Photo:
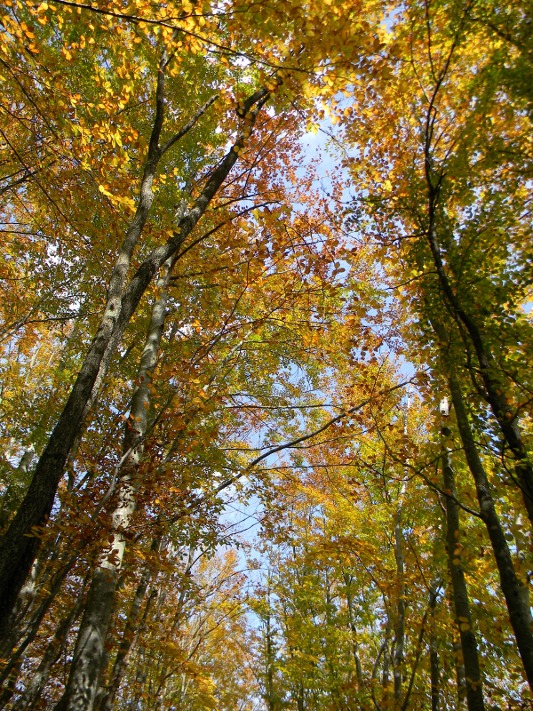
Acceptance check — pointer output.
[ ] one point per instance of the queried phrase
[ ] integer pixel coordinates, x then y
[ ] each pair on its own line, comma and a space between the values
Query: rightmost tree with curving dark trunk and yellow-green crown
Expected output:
461, 240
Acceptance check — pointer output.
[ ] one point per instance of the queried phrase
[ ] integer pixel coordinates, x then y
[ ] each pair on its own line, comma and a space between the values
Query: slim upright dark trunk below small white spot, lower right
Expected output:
461, 602
